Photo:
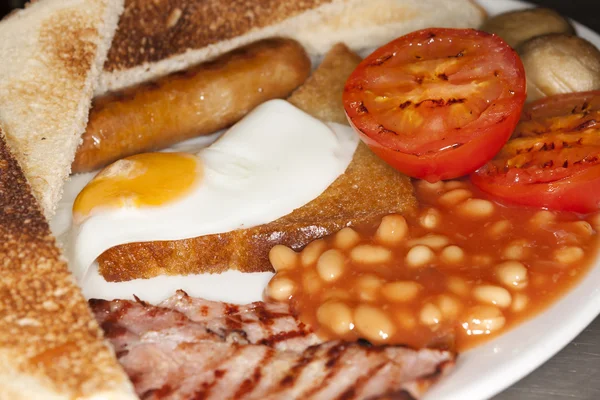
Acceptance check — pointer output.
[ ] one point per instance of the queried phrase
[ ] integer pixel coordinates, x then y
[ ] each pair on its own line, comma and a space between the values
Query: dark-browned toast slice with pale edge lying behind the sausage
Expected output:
162, 36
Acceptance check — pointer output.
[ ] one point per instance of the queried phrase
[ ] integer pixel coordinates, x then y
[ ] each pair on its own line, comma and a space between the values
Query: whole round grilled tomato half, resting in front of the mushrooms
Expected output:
437, 103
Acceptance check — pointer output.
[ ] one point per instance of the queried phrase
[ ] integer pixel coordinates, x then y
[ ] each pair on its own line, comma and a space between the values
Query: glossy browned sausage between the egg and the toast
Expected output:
194, 102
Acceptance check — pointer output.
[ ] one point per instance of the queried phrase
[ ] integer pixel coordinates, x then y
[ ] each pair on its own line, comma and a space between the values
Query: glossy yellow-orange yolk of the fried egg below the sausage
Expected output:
150, 179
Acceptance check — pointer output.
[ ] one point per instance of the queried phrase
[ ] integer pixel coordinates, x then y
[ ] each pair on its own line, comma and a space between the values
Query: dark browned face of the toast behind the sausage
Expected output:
151, 31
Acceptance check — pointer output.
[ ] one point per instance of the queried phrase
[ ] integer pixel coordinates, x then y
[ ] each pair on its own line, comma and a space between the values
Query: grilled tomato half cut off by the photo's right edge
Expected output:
553, 157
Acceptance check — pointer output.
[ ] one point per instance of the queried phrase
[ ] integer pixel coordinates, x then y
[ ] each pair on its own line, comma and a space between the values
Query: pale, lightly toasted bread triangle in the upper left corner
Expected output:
52, 53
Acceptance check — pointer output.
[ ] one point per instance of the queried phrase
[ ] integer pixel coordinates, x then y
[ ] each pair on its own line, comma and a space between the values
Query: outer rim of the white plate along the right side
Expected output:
488, 369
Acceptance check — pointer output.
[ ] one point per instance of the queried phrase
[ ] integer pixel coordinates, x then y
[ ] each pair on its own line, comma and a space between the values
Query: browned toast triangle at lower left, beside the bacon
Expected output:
50, 344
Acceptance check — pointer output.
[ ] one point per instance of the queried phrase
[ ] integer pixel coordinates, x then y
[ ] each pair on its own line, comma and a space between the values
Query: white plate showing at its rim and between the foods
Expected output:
480, 373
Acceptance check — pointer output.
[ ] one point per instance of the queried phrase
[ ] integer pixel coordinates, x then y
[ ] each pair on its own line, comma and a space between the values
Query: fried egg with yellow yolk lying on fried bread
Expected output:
275, 160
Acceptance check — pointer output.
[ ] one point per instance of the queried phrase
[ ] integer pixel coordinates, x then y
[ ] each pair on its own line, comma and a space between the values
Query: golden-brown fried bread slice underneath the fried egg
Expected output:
367, 190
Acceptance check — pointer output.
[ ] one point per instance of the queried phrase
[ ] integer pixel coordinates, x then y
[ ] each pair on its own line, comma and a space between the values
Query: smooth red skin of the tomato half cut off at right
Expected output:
578, 193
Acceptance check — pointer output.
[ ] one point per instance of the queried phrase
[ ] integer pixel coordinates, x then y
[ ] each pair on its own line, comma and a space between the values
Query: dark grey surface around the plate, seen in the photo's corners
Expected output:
574, 373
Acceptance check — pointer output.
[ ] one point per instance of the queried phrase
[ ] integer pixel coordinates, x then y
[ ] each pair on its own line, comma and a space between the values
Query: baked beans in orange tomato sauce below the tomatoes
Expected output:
461, 271
